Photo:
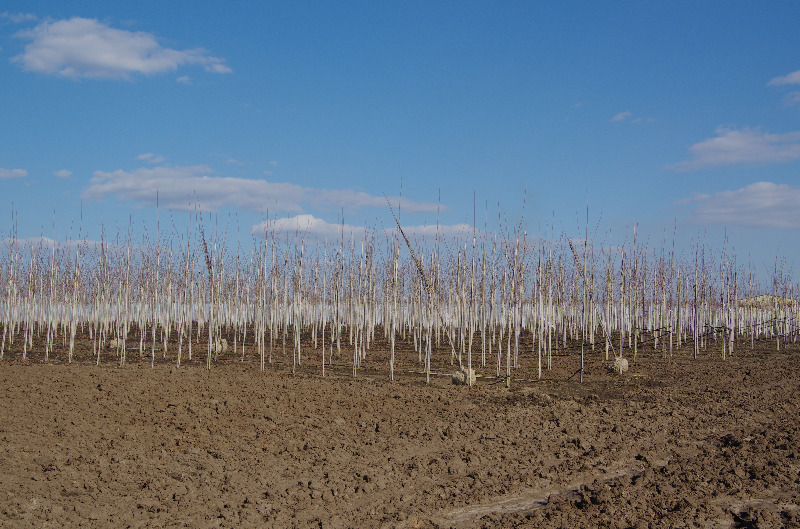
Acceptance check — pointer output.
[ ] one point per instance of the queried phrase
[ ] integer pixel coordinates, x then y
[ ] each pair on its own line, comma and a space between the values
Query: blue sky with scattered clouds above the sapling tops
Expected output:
661, 114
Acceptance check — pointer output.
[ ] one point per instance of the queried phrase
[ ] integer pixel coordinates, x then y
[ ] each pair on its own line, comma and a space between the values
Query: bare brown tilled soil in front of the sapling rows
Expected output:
687, 443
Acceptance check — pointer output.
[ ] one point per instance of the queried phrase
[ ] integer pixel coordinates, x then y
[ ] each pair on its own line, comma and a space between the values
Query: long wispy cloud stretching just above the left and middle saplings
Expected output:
184, 188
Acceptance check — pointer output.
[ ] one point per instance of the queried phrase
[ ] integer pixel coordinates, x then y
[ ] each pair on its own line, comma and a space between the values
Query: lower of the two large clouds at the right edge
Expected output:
762, 204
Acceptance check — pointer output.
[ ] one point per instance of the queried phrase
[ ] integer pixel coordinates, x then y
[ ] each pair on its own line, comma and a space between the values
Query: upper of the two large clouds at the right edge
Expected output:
742, 146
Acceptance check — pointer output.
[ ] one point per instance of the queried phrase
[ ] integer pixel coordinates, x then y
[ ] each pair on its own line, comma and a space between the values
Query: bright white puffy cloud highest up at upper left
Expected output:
81, 47
